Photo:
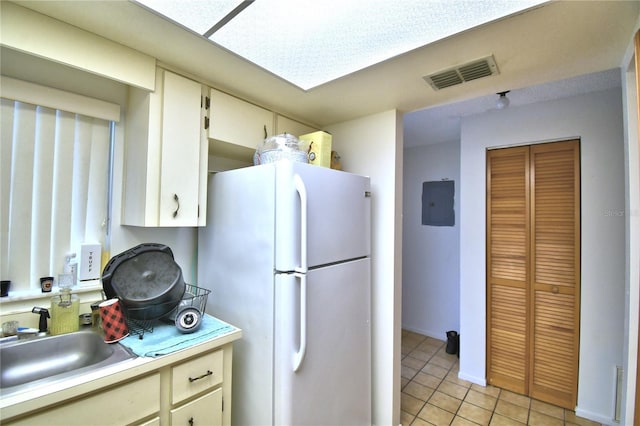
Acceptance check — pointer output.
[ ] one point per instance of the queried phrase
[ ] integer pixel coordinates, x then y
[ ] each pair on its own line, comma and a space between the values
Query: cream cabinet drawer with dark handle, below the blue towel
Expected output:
196, 375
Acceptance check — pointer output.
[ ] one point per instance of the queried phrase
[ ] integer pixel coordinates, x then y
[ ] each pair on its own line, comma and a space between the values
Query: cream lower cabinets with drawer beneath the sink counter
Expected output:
190, 392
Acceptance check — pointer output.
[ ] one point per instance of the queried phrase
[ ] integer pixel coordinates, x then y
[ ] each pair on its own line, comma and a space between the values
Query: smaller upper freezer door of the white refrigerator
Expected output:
322, 216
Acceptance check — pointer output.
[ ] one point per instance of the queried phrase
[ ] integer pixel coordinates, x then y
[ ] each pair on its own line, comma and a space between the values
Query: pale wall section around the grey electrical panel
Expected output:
431, 254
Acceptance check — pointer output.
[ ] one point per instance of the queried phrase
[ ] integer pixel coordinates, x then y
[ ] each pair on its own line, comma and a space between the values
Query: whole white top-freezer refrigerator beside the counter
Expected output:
286, 253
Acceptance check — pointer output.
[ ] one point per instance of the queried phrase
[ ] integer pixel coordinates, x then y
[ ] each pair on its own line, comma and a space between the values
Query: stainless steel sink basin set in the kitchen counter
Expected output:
51, 358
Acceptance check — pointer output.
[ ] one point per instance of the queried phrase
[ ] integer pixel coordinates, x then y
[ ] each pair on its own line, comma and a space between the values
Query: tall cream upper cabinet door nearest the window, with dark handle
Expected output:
180, 164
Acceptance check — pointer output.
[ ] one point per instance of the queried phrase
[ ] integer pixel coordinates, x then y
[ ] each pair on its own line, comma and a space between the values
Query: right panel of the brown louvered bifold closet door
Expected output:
555, 266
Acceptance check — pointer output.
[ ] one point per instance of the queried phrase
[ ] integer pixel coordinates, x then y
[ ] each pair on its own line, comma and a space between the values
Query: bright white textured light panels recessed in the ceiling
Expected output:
309, 43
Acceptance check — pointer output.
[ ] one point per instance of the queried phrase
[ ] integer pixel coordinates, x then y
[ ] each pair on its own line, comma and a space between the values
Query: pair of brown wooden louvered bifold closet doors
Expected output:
533, 270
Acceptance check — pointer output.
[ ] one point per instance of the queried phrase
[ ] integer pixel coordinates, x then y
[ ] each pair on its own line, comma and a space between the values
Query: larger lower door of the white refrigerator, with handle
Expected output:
322, 360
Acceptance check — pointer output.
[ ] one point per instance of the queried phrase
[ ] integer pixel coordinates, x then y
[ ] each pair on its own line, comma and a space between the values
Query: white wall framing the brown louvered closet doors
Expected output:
597, 119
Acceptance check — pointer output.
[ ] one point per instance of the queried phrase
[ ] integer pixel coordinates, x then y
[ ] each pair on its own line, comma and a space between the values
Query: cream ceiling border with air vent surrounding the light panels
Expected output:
554, 42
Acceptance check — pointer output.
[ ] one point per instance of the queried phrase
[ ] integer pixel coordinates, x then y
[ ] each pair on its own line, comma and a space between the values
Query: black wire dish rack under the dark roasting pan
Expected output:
144, 321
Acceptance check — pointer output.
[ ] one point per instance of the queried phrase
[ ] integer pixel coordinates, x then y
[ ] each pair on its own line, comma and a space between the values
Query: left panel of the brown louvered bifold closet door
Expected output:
507, 272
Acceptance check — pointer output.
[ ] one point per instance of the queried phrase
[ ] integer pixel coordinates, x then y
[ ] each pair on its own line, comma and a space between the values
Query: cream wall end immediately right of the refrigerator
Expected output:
372, 146
